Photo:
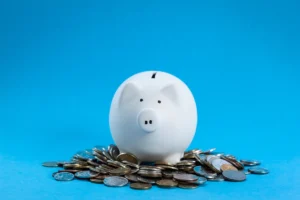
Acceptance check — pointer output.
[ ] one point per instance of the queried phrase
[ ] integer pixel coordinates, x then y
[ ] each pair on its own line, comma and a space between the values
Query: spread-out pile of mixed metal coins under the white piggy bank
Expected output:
114, 169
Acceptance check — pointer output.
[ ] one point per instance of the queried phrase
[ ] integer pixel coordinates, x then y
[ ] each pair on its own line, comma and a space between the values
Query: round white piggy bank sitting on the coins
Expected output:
153, 115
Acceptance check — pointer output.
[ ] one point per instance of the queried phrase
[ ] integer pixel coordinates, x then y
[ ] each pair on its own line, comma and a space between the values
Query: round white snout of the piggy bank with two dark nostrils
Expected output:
147, 120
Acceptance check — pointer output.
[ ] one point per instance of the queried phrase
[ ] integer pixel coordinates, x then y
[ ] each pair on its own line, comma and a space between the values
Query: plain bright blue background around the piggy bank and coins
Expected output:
61, 62
